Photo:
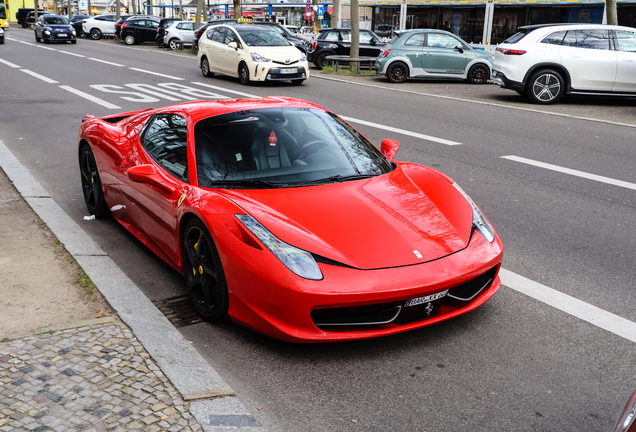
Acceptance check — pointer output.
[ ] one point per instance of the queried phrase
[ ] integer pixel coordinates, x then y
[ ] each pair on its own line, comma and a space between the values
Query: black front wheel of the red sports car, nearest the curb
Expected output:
203, 272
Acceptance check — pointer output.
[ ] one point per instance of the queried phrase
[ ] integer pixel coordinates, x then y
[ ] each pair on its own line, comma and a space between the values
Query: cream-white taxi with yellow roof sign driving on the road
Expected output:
251, 53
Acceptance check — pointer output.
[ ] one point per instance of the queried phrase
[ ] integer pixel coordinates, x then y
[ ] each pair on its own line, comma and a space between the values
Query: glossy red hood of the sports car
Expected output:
409, 216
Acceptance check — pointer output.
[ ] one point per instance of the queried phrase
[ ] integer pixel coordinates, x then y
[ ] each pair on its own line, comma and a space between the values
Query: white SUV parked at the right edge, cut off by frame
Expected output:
547, 61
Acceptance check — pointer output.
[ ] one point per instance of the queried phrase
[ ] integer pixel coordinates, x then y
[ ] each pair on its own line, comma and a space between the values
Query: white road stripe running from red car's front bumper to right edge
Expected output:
570, 305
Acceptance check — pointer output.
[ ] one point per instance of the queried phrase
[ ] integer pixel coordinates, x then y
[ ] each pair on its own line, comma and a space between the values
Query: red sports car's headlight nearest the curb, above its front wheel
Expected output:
296, 260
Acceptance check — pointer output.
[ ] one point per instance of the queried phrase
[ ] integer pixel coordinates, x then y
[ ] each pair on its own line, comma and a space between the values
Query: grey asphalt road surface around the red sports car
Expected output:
513, 364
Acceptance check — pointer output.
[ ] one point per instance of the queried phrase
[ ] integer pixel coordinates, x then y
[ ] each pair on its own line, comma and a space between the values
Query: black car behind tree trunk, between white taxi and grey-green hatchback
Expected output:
334, 41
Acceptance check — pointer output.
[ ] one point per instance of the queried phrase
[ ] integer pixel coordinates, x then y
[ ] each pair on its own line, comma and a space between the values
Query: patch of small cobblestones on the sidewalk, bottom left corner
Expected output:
94, 378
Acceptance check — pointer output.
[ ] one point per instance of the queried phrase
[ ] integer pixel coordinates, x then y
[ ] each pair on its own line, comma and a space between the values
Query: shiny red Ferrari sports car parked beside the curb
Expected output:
284, 217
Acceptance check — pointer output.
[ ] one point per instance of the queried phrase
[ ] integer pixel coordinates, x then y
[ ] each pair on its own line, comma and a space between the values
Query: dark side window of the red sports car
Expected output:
166, 141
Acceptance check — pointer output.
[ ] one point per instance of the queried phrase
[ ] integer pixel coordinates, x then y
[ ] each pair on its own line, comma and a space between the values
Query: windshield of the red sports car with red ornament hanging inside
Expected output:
282, 147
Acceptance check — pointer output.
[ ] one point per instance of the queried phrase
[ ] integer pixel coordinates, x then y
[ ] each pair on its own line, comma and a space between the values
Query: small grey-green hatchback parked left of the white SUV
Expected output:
429, 53
